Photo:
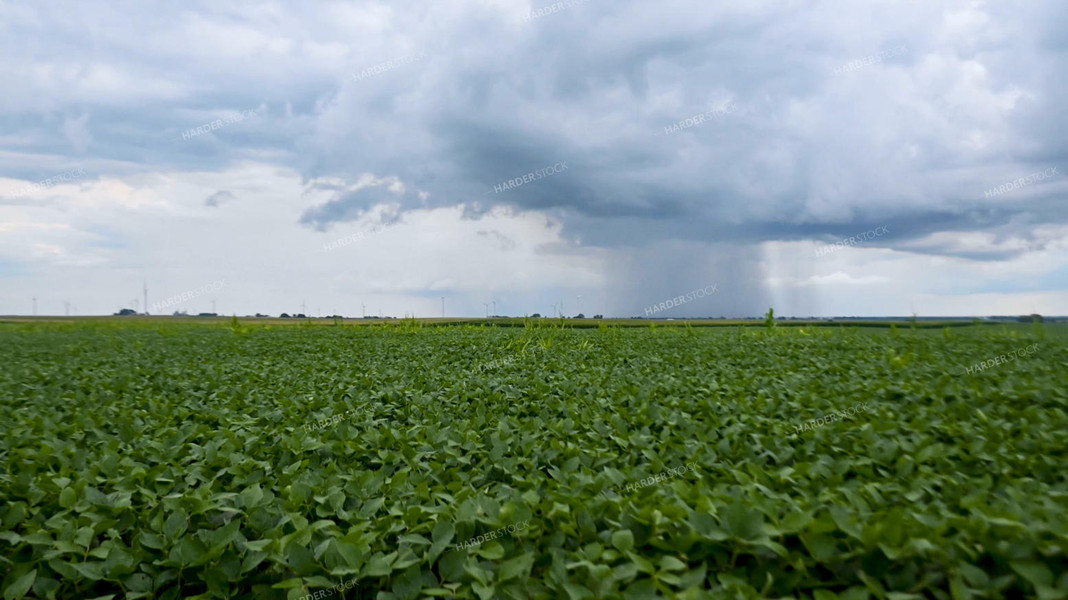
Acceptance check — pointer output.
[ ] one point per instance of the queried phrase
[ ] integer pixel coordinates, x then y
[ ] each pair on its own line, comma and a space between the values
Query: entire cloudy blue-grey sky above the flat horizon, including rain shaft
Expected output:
824, 159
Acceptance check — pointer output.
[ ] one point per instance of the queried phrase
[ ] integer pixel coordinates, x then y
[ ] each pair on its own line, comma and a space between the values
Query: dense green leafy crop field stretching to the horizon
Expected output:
154, 459
